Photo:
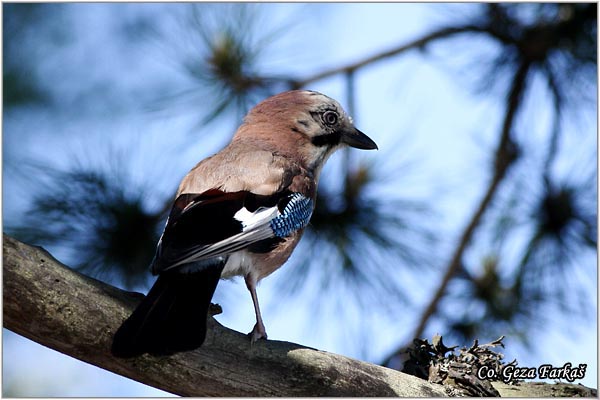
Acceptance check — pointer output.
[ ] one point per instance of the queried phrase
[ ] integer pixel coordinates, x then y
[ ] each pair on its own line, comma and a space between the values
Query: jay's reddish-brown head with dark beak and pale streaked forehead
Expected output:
303, 124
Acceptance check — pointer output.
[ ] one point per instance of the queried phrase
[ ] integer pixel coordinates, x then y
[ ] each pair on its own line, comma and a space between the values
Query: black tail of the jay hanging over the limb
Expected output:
171, 318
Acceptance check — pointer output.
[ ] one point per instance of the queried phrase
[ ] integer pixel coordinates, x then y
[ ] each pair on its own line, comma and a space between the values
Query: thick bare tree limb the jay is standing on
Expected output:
77, 315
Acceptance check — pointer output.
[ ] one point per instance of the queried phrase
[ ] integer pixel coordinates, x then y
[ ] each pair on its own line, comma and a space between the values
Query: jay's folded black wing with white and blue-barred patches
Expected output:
214, 224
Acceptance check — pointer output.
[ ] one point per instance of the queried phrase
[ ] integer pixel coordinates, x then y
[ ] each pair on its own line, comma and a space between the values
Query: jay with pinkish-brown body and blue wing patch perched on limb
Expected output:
239, 212
